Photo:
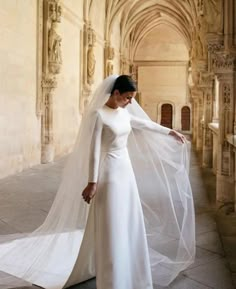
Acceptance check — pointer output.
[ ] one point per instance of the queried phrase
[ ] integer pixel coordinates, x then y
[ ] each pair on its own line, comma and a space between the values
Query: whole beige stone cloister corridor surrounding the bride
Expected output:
181, 57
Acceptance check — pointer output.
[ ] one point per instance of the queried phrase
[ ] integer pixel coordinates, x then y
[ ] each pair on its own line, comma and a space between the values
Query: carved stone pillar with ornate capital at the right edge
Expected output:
224, 67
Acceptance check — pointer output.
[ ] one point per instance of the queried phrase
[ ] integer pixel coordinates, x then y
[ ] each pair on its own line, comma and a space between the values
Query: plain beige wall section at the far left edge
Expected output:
19, 126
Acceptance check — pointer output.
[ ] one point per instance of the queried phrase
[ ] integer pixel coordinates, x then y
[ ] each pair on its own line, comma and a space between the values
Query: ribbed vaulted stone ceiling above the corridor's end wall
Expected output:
139, 17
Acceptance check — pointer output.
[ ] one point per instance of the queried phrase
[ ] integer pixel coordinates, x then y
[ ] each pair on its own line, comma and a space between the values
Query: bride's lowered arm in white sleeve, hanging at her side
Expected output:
94, 158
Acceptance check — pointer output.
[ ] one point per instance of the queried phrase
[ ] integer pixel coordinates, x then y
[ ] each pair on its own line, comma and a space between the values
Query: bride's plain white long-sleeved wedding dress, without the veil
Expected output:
115, 238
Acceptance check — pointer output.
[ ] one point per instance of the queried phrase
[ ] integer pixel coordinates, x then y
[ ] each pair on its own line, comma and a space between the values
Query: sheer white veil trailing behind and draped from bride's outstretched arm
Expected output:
46, 257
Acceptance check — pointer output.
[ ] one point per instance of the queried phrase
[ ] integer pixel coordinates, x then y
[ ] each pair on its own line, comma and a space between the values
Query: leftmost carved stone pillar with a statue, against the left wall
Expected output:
52, 62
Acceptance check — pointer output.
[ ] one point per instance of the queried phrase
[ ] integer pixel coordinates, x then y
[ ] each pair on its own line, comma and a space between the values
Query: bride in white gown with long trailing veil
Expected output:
139, 227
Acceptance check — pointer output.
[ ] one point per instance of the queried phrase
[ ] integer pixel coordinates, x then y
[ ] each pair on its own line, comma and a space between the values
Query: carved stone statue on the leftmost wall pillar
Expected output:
54, 50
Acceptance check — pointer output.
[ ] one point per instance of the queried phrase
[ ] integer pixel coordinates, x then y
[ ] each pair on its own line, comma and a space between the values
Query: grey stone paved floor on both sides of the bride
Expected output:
25, 199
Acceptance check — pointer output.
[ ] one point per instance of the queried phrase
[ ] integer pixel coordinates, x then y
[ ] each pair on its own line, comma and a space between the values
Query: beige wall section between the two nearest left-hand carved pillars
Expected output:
66, 113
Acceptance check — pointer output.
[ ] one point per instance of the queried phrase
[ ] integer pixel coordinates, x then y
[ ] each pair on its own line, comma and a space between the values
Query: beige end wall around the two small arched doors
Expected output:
163, 84
